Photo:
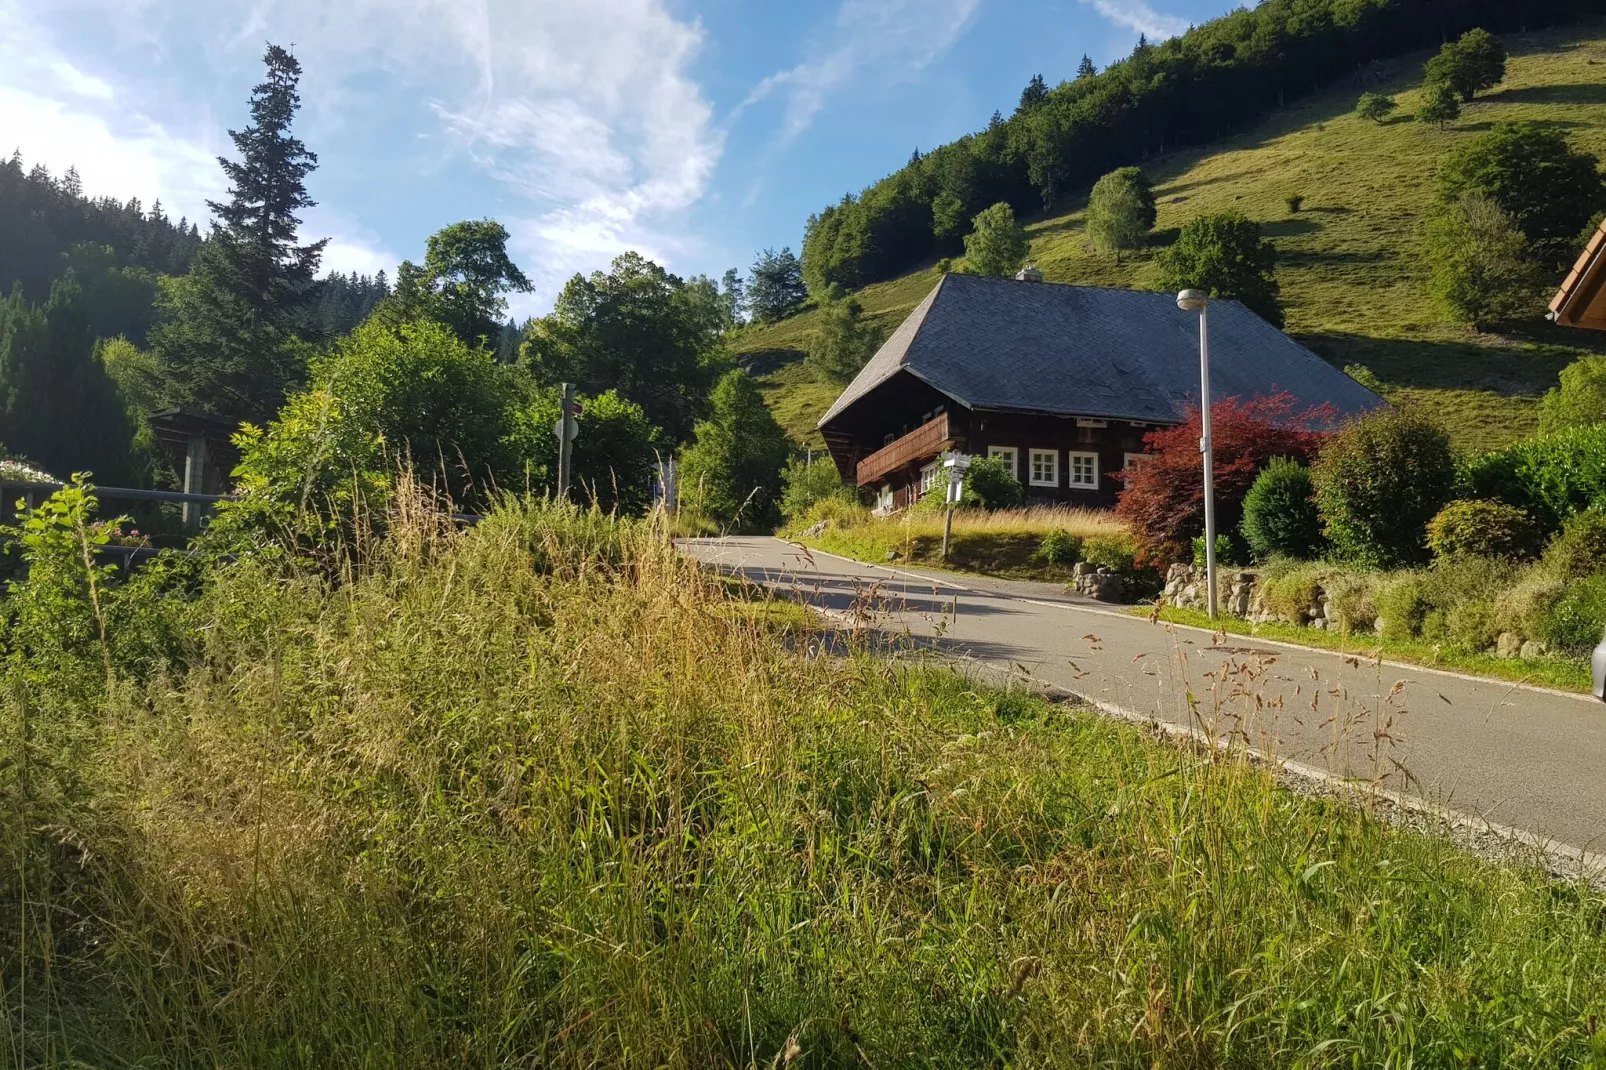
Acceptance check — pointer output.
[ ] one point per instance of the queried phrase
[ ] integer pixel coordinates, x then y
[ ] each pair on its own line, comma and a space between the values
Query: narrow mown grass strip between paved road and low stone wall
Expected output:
1565, 674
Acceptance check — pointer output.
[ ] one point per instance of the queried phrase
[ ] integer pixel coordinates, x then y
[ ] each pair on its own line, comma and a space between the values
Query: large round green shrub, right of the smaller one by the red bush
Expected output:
1379, 483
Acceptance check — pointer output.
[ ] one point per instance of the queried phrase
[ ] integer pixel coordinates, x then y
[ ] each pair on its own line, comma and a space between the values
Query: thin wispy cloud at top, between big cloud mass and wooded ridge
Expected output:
900, 38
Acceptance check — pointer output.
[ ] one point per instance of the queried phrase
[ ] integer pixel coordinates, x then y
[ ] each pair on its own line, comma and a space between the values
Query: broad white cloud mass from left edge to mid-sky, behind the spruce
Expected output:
584, 110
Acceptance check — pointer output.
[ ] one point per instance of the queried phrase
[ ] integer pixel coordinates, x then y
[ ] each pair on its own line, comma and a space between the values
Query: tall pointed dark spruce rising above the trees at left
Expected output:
229, 333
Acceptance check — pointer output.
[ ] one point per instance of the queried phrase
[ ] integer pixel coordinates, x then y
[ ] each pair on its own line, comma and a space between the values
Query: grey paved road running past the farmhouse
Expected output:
1522, 758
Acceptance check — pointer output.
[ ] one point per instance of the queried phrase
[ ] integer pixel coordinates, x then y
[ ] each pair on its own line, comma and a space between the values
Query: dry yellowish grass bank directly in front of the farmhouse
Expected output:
1001, 544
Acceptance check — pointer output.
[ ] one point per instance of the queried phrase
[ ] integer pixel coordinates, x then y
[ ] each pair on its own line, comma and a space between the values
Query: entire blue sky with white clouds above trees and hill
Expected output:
693, 131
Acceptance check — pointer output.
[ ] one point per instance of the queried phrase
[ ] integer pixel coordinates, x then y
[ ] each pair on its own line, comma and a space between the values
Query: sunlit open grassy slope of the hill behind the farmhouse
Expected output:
1351, 271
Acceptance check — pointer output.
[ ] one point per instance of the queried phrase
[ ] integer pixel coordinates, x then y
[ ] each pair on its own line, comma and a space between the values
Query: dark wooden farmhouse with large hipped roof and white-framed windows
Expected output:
1059, 382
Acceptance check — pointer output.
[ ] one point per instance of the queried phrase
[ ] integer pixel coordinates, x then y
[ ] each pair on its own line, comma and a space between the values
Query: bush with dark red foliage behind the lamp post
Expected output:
1164, 500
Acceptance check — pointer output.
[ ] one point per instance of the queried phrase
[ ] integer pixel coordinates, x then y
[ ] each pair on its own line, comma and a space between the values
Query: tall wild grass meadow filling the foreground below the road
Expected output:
534, 794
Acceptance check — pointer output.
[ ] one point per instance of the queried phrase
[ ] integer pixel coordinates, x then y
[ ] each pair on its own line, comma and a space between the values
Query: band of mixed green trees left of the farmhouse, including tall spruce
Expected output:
341, 382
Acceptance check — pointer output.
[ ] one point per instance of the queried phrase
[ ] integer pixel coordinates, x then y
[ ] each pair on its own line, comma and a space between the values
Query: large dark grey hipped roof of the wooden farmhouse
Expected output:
1086, 351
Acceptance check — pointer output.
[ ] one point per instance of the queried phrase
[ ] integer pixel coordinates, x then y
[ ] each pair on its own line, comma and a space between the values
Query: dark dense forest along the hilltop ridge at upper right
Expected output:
1188, 91
